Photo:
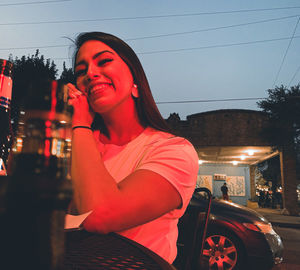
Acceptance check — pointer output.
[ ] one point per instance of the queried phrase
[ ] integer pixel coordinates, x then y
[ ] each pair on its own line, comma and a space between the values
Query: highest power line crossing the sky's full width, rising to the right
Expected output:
151, 16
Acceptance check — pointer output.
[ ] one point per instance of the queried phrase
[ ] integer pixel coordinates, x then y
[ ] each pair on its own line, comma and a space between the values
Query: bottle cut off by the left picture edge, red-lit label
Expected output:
5, 122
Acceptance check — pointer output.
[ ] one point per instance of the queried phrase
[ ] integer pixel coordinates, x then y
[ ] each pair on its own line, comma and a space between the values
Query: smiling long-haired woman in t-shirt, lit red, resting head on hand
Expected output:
134, 176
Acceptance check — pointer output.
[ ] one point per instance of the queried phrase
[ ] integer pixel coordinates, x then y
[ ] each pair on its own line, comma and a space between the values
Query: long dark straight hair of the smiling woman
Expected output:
148, 113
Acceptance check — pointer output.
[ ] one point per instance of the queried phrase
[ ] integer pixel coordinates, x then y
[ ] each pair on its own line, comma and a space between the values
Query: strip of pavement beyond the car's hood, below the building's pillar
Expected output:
278, 218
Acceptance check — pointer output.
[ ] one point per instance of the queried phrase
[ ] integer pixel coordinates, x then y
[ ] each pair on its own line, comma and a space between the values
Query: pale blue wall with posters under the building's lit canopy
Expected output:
228, 170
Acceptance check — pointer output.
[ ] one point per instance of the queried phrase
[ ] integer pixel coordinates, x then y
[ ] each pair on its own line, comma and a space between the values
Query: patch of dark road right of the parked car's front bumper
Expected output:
291, 243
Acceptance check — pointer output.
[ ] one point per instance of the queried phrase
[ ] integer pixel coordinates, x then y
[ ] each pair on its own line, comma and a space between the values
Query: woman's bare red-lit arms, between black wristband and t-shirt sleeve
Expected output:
141, 197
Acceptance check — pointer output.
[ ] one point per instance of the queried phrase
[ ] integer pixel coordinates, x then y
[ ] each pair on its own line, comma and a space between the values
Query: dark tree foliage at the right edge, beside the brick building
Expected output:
283, 109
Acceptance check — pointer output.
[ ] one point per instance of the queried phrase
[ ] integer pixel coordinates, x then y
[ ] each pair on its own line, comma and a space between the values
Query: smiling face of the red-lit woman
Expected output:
103, 76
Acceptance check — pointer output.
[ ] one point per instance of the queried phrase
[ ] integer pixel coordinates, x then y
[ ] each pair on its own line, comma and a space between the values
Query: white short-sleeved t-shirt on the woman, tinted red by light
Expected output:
172, 157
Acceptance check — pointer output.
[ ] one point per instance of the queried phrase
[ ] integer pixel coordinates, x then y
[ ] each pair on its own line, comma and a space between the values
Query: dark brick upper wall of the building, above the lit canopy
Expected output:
222, 128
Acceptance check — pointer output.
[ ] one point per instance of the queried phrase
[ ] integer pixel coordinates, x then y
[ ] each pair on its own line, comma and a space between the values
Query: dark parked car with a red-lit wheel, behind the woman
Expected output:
237, 237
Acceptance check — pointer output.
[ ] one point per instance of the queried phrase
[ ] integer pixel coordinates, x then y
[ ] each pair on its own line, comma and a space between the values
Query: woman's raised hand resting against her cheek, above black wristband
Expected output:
83, 114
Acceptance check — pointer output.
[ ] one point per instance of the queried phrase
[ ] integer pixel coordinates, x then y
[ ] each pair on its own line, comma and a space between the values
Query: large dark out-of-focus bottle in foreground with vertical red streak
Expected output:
39, 187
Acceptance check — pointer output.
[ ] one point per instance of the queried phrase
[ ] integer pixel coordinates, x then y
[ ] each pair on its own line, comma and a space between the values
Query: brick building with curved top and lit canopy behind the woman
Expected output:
230, 145
